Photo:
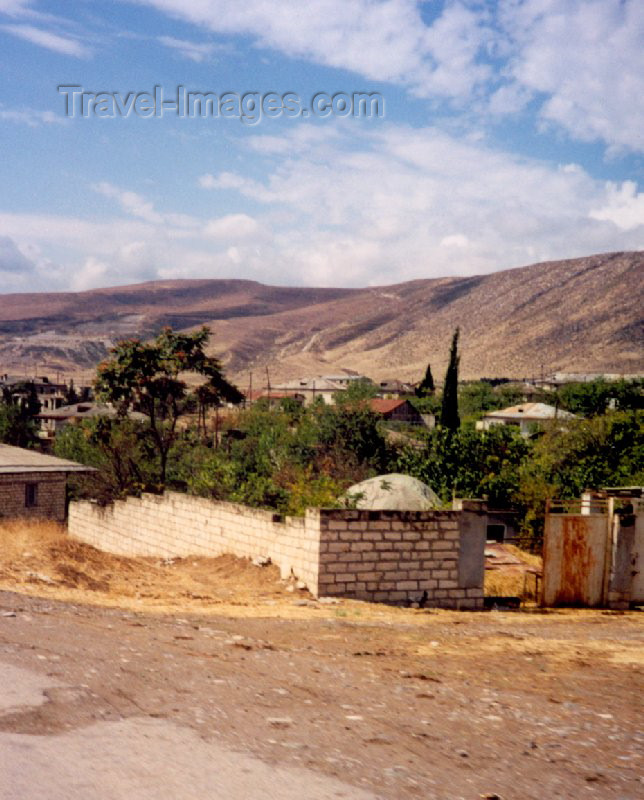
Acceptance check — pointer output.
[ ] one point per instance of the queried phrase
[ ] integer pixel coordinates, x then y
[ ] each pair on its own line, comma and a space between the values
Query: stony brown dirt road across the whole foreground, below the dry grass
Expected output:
416, 704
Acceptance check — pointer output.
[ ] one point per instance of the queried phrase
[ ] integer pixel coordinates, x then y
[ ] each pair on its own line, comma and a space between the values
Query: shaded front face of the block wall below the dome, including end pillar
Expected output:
435, 558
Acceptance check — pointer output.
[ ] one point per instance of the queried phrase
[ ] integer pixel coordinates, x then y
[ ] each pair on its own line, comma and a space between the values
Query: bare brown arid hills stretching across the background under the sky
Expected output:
582, 314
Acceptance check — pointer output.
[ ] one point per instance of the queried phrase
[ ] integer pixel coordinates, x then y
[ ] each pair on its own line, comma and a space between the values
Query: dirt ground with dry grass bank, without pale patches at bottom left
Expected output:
400, 702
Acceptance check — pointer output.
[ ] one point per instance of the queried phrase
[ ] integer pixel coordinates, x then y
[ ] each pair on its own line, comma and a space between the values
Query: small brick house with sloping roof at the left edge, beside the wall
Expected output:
33, 484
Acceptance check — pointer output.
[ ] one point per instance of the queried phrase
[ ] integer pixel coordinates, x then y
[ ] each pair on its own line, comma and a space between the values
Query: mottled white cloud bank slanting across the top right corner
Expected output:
580, 61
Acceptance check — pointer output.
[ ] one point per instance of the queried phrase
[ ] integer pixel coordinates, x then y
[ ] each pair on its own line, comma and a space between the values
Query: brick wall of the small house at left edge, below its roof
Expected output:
50, 497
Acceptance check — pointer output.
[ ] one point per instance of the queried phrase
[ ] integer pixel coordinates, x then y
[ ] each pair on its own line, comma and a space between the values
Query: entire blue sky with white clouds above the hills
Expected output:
513, 132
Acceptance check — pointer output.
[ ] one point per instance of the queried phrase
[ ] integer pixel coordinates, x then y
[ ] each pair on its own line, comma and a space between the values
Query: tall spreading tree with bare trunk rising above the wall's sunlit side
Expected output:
147, 377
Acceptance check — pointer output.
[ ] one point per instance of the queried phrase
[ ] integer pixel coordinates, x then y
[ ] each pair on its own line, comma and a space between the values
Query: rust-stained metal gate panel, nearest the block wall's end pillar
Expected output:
574, 559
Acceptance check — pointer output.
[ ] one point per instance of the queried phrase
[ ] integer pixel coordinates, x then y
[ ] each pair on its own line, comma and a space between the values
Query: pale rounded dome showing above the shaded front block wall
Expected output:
395, 492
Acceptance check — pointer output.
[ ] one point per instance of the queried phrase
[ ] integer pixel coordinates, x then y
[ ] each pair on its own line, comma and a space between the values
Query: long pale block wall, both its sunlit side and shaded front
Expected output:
435, 558
